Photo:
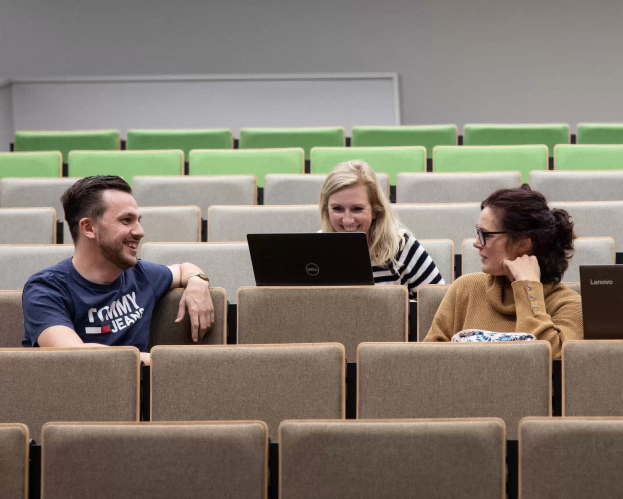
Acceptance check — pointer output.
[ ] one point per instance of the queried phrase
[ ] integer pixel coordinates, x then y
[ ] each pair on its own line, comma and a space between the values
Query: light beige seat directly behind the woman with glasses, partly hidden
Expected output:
587, 251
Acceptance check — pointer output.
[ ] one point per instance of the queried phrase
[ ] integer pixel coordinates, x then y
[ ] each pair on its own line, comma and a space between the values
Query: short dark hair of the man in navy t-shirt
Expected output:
84, 199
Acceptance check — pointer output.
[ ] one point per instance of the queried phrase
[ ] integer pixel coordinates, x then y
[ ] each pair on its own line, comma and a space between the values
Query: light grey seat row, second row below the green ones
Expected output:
454, 221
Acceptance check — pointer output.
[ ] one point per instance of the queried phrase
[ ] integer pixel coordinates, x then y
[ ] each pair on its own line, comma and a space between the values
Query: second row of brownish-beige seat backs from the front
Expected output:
276, 382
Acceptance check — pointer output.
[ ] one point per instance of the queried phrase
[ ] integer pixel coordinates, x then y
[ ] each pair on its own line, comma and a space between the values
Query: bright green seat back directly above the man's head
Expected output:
126, 164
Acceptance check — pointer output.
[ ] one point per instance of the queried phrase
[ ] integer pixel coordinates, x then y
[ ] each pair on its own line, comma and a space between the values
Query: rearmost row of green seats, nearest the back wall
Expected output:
427, 136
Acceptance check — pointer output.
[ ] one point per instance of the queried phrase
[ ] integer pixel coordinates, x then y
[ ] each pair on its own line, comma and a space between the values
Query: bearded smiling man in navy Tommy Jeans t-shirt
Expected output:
105, 296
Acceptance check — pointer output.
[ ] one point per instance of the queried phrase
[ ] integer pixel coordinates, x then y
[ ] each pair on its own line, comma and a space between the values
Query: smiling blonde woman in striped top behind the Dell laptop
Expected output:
351, 200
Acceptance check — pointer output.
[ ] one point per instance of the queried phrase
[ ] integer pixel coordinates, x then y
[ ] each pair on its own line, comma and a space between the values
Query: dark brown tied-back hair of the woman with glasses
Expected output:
524, 213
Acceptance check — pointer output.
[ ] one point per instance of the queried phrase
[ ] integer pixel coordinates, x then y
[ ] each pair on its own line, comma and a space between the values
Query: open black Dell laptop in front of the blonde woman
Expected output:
310, 259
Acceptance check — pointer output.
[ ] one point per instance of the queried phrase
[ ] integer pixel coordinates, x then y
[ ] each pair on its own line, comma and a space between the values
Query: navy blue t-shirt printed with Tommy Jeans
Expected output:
116, 314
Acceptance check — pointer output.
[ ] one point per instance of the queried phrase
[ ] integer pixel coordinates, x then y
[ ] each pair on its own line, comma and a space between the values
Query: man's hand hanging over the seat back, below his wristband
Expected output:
197, 300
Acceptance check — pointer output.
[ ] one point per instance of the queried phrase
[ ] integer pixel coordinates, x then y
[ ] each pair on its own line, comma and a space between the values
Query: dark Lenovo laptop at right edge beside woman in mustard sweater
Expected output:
602, 301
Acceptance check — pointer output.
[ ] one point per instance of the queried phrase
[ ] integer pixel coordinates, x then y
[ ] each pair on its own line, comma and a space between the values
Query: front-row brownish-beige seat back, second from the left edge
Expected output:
155, 460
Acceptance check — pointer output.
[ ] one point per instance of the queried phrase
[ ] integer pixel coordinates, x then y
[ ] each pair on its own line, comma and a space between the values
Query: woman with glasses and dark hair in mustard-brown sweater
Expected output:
525, 249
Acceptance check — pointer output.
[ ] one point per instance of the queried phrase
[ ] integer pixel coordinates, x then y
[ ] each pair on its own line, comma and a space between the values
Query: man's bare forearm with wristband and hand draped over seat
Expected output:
196, 299
